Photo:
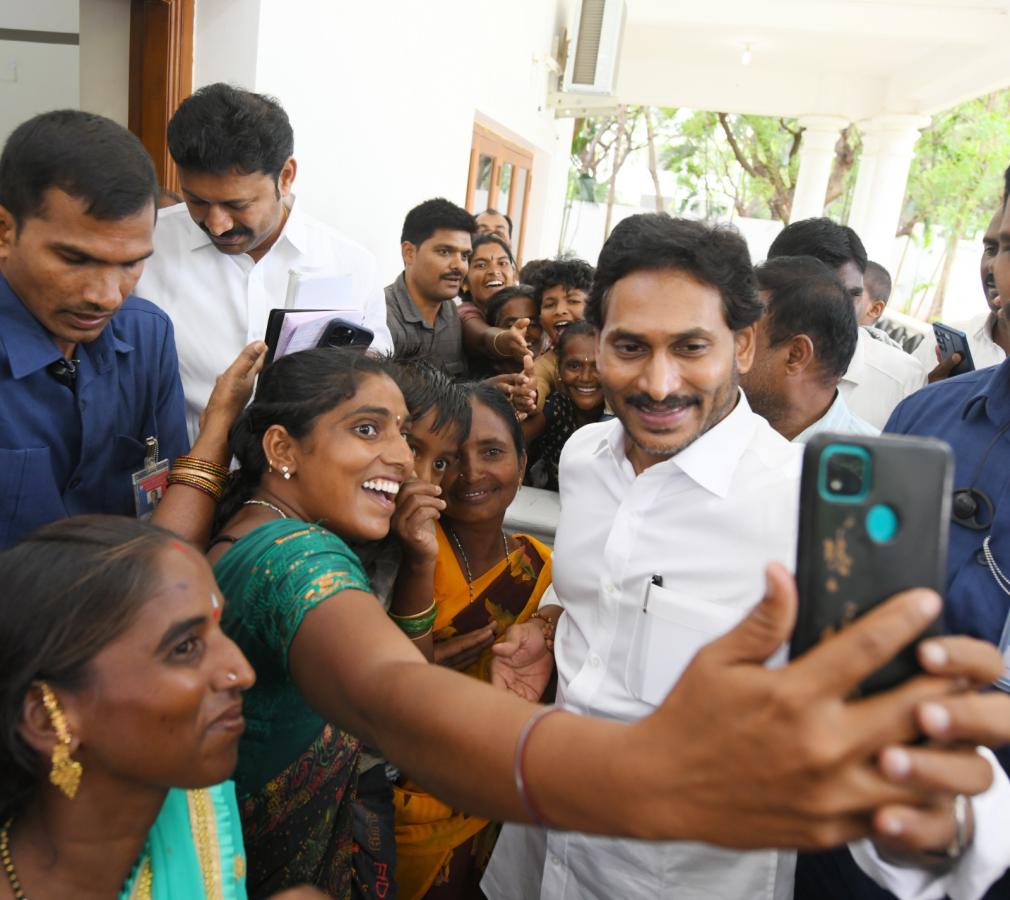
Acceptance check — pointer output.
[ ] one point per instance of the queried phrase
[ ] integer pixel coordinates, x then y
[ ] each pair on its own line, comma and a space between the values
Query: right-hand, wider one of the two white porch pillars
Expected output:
888, 149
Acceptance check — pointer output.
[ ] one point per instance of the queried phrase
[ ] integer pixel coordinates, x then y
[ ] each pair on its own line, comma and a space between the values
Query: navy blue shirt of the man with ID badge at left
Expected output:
67, 453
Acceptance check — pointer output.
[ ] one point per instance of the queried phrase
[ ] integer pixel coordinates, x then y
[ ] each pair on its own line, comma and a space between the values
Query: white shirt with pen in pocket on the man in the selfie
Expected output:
731, 495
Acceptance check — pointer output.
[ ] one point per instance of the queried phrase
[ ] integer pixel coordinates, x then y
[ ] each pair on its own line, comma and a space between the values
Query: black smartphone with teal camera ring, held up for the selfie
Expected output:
874, 521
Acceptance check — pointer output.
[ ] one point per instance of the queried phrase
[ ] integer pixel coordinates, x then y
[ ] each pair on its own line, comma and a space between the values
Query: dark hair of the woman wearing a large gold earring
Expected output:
71, 588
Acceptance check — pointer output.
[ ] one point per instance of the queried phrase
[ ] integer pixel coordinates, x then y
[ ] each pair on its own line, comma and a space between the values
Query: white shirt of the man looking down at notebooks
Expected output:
219, 304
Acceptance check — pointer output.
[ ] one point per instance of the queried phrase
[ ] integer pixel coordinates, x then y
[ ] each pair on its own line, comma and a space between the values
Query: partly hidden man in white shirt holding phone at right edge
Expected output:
988, 333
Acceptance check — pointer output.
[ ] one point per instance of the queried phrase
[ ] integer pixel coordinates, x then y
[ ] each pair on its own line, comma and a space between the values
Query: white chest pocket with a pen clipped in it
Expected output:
669, 632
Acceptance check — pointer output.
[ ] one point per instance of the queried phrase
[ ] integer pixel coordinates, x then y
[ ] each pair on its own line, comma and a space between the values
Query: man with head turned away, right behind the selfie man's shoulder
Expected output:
805, 342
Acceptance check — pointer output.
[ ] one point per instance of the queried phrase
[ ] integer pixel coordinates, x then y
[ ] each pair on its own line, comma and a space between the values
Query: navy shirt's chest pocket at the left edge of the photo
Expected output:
29, 494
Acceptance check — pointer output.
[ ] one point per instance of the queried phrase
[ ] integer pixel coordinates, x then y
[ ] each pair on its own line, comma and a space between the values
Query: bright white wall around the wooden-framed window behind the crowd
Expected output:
383, 97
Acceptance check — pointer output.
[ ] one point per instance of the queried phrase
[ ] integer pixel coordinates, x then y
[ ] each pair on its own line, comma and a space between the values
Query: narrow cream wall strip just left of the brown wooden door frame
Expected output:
106, 59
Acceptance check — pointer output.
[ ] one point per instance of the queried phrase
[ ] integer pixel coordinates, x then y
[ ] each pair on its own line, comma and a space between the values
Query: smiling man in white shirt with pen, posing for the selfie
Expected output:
670, 515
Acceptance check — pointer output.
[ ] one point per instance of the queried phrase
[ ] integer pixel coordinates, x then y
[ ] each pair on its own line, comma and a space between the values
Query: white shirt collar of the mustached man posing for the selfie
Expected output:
710, 462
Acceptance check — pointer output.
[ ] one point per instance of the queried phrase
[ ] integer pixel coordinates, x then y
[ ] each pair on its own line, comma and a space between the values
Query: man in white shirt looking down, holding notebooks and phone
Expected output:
228, 257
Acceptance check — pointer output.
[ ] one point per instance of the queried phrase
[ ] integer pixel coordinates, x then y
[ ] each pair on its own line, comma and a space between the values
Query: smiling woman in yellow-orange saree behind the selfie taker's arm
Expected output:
485, 581
